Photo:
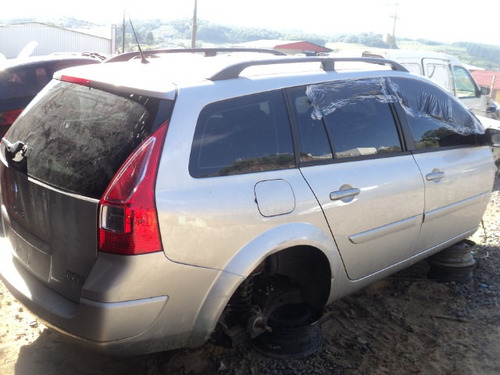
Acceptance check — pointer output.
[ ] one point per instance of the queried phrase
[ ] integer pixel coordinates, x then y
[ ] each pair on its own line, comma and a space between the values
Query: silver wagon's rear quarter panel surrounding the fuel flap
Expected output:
207, 221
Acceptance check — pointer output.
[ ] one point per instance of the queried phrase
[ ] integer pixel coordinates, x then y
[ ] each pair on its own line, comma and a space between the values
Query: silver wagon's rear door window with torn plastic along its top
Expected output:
352, 118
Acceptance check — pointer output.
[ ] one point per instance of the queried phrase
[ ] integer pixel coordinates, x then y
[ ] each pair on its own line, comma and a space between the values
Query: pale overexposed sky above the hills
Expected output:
439, 20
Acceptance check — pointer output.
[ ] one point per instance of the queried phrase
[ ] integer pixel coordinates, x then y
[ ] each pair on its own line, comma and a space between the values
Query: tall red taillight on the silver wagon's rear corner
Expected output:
128, 222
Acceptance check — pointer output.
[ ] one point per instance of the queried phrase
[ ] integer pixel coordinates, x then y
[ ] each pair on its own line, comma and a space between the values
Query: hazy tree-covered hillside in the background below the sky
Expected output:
160, 34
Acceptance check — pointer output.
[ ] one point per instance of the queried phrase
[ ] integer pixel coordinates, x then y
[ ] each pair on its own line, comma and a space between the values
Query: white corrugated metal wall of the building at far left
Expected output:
49, 39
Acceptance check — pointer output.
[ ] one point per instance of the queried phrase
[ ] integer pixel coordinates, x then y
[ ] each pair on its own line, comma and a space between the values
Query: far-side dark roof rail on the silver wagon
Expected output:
206, 51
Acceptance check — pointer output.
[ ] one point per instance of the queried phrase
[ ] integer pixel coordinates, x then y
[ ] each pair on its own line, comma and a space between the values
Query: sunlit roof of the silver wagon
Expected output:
165, 74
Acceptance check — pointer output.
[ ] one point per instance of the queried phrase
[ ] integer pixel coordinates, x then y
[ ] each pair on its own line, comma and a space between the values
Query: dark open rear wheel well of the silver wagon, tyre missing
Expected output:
289, 287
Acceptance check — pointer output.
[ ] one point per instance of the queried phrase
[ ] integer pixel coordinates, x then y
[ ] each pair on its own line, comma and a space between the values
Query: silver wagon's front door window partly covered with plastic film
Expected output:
436, 119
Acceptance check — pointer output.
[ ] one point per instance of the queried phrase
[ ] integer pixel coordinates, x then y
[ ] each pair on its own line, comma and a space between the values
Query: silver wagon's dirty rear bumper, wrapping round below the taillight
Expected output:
127, 326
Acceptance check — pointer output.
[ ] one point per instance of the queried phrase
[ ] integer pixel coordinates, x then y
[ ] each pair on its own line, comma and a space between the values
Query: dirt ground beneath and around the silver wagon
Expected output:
404, 324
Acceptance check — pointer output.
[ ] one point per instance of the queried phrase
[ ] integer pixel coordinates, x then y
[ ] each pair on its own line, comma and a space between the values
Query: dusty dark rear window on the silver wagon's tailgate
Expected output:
78, 137
